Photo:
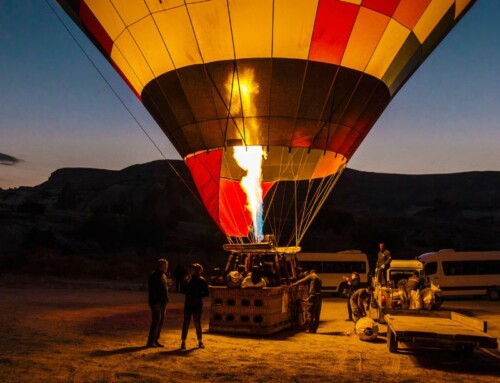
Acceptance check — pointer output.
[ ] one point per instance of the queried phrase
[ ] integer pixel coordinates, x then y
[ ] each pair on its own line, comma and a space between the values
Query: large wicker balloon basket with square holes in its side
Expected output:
252, 311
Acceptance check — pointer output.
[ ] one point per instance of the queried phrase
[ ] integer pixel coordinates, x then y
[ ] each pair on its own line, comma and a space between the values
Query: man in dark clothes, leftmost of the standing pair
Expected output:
158, 299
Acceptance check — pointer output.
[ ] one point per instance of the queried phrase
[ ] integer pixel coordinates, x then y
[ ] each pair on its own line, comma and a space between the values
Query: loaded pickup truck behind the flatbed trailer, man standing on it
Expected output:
394, 295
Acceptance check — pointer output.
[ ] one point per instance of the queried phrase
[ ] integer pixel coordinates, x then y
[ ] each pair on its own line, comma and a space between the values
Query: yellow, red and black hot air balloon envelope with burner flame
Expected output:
296, 83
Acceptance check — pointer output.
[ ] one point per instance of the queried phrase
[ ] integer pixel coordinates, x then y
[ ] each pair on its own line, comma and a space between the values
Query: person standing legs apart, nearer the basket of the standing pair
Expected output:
195, 288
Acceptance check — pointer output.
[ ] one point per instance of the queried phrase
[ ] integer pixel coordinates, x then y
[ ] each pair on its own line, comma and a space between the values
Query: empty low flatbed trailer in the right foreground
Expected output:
443, 329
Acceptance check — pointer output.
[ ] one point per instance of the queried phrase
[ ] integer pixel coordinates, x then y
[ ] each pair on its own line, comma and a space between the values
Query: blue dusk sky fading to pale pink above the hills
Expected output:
57, 111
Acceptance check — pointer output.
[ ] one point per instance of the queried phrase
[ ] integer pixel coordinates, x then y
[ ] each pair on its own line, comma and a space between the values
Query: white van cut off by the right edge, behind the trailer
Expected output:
464, 273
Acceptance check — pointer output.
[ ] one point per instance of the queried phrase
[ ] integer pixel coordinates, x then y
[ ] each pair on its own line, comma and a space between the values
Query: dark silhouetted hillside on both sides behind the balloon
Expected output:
102, 222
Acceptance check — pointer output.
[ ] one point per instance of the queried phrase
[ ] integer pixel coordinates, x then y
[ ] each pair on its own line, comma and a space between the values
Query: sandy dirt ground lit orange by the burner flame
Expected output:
68, 331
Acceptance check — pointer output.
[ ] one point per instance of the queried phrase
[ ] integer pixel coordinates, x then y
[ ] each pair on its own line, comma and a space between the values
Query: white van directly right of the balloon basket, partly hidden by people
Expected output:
331, 267
